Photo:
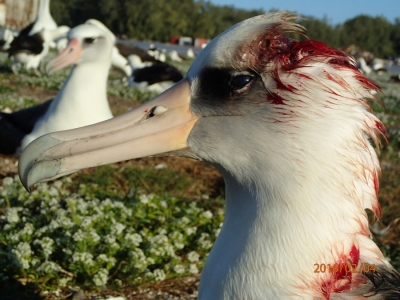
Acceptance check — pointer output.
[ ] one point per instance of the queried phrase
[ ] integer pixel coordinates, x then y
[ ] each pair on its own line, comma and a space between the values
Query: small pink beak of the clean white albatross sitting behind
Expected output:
72, 53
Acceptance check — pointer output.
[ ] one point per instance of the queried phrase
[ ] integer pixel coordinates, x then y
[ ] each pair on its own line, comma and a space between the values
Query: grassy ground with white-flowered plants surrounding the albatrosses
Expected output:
135, 224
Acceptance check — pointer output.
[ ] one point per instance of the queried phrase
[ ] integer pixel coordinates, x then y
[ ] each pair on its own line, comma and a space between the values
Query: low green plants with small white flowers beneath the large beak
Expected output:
58, 236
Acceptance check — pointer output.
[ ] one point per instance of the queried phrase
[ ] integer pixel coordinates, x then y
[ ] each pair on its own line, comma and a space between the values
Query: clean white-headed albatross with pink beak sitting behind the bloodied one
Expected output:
82, 99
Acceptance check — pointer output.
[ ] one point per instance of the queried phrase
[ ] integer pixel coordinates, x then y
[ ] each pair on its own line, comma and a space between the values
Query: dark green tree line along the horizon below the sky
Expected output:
140, 19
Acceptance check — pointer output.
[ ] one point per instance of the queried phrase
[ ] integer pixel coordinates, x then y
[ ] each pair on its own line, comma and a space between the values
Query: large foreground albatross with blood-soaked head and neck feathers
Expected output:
288, 125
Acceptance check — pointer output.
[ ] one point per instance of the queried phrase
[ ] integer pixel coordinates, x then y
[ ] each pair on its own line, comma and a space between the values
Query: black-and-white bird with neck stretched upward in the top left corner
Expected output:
34, 41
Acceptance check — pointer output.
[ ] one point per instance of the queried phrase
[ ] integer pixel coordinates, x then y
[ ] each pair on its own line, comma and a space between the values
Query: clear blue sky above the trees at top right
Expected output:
336, 11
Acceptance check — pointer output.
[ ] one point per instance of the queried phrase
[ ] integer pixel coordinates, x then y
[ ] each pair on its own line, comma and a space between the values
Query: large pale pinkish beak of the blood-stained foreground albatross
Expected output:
160, 125
